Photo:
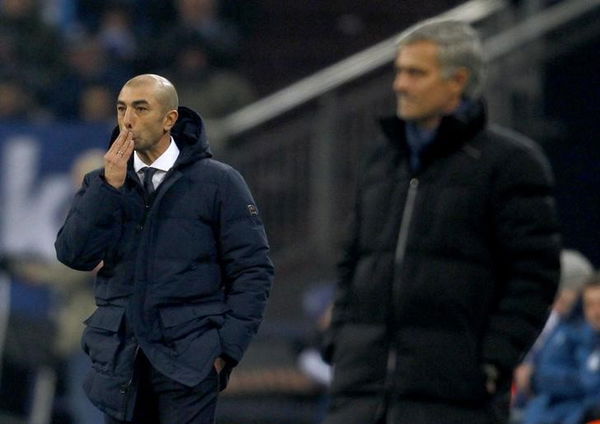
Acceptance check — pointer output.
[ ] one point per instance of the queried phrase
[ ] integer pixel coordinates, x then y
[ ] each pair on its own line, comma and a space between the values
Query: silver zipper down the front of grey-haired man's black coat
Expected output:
400, 252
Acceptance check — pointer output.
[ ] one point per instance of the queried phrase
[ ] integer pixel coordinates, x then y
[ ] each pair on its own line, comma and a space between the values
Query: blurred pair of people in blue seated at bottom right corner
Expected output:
559, 380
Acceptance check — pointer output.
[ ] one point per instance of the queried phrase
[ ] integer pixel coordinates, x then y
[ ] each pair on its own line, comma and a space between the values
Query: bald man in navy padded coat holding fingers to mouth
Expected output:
184, 271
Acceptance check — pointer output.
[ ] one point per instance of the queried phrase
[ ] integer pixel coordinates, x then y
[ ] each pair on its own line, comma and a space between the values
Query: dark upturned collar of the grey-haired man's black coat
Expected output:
453, 132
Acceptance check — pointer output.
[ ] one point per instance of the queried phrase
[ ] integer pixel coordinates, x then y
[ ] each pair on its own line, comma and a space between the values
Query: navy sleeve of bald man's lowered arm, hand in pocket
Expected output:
247, 269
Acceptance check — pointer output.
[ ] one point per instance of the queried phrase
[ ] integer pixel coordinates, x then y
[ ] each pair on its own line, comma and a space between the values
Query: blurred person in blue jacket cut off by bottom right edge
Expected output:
567, 376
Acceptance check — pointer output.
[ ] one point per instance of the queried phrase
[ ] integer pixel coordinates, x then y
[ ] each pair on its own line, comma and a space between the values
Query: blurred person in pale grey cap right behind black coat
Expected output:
575, 270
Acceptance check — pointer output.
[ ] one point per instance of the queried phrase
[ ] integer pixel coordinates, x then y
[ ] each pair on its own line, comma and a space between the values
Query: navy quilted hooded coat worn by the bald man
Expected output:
185, 277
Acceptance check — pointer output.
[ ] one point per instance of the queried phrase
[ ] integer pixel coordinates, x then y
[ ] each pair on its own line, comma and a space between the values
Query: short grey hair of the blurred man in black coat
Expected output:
459, 47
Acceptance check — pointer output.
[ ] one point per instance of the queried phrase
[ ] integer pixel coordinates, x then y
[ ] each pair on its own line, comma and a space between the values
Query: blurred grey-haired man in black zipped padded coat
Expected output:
453, 257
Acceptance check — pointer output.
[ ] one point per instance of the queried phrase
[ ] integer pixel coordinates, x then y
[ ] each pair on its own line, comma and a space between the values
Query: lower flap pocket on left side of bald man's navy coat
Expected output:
101, 340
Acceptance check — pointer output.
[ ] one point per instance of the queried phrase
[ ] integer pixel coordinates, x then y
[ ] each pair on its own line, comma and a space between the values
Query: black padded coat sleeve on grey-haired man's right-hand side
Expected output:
527, 247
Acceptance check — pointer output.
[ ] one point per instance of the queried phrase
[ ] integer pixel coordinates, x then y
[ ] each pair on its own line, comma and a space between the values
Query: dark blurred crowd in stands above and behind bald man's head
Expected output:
66, 59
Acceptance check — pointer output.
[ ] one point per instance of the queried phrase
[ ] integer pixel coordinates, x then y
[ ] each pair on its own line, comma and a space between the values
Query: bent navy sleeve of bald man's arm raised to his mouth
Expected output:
92, 224
